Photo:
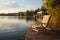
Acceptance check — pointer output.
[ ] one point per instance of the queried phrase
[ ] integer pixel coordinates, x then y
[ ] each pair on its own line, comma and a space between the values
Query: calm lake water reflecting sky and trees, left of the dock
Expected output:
14, 28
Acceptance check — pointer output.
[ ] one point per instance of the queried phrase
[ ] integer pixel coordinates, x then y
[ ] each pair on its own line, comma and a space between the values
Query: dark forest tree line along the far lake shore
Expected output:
27, 13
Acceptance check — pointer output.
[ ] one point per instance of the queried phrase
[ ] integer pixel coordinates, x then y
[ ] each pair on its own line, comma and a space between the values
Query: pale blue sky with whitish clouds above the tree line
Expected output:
11, 6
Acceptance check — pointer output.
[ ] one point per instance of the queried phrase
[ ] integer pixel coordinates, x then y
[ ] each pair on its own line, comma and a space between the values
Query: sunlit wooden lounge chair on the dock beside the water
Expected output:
43, 24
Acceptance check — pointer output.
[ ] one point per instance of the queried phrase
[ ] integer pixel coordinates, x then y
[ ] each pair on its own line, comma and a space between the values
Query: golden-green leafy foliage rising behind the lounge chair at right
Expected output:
53, 7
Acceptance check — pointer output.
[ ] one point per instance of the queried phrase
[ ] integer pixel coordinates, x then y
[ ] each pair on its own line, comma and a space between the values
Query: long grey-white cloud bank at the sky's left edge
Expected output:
5, 5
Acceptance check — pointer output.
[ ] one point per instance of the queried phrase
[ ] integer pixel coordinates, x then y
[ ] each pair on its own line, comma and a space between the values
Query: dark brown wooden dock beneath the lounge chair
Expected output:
42, 35
